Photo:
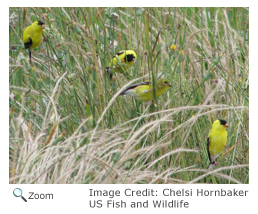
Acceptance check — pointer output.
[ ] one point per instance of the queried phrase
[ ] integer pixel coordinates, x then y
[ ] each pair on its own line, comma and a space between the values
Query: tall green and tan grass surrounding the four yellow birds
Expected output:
67, 123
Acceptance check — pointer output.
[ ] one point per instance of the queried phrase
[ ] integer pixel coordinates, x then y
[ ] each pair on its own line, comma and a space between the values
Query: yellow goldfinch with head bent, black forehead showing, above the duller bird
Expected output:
121, 62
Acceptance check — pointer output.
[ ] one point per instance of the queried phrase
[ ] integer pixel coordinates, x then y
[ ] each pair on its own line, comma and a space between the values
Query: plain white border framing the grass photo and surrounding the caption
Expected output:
74, 198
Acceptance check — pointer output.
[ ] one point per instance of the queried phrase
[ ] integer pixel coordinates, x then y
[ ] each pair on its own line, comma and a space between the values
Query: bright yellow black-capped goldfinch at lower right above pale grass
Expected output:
216, 141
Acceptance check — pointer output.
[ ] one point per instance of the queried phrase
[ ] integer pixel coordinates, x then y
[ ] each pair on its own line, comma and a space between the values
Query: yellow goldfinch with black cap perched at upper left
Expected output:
32, 36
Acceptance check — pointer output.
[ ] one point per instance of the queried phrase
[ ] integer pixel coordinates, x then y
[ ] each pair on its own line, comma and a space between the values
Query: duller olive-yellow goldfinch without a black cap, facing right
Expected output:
144, 91
